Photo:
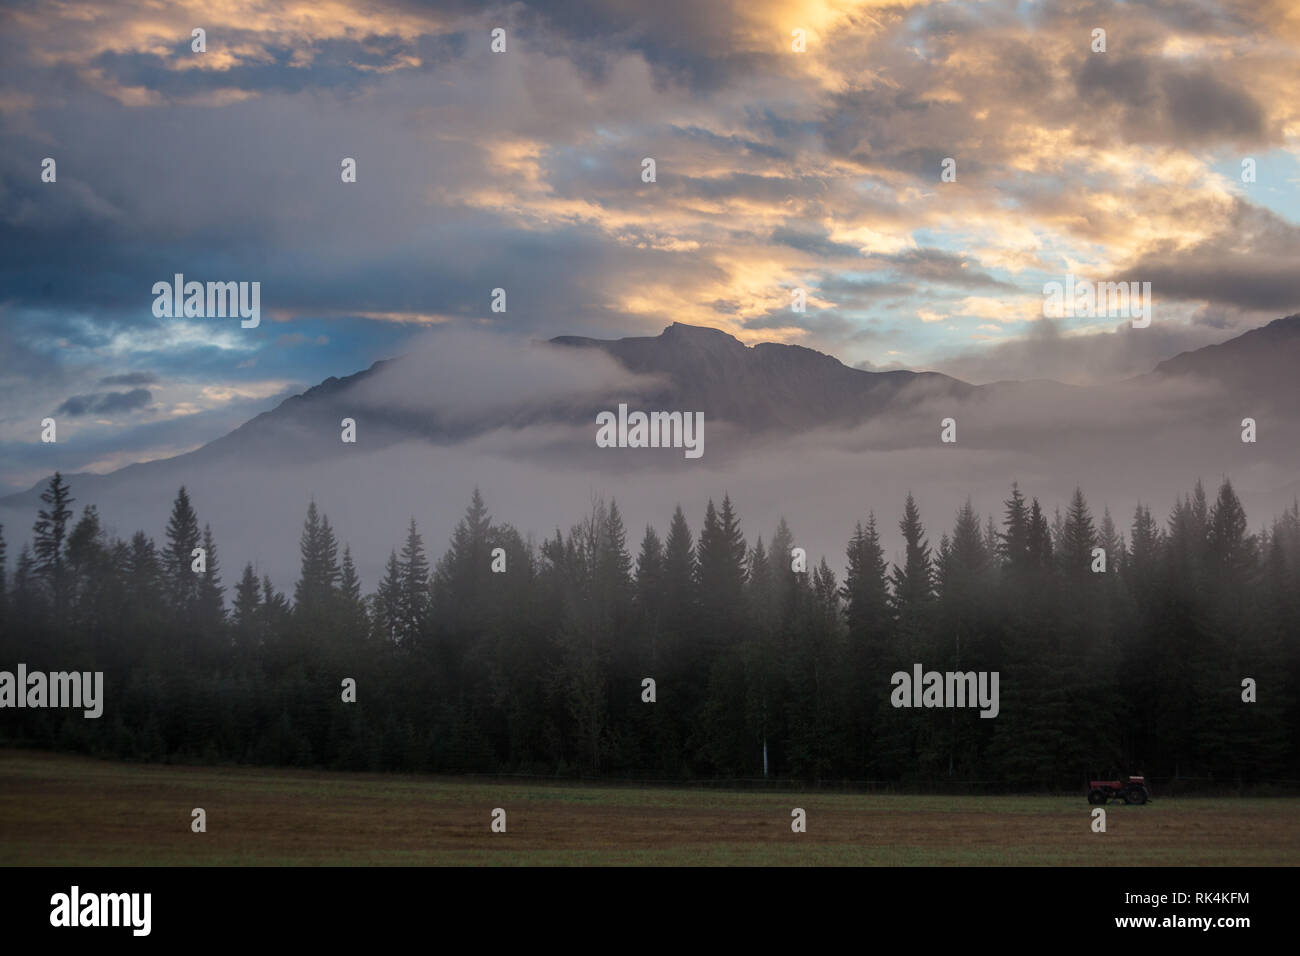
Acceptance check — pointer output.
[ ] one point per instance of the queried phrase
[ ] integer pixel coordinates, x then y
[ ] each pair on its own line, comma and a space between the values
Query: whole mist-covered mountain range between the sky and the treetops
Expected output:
791, 434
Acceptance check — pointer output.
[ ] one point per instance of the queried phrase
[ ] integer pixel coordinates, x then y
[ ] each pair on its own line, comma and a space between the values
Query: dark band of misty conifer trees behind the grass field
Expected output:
540, 669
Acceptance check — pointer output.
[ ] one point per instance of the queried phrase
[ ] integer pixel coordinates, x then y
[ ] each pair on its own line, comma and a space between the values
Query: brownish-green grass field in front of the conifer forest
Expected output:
57, 810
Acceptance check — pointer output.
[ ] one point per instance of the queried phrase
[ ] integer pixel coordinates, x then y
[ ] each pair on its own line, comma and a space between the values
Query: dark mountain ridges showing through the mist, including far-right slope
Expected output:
769, 387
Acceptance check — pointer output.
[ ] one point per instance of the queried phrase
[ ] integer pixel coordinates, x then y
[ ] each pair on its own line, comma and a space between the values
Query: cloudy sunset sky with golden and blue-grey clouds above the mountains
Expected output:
775, 170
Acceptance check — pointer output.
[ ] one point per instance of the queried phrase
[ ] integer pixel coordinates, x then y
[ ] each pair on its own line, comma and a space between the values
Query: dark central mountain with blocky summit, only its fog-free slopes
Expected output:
764, 388
